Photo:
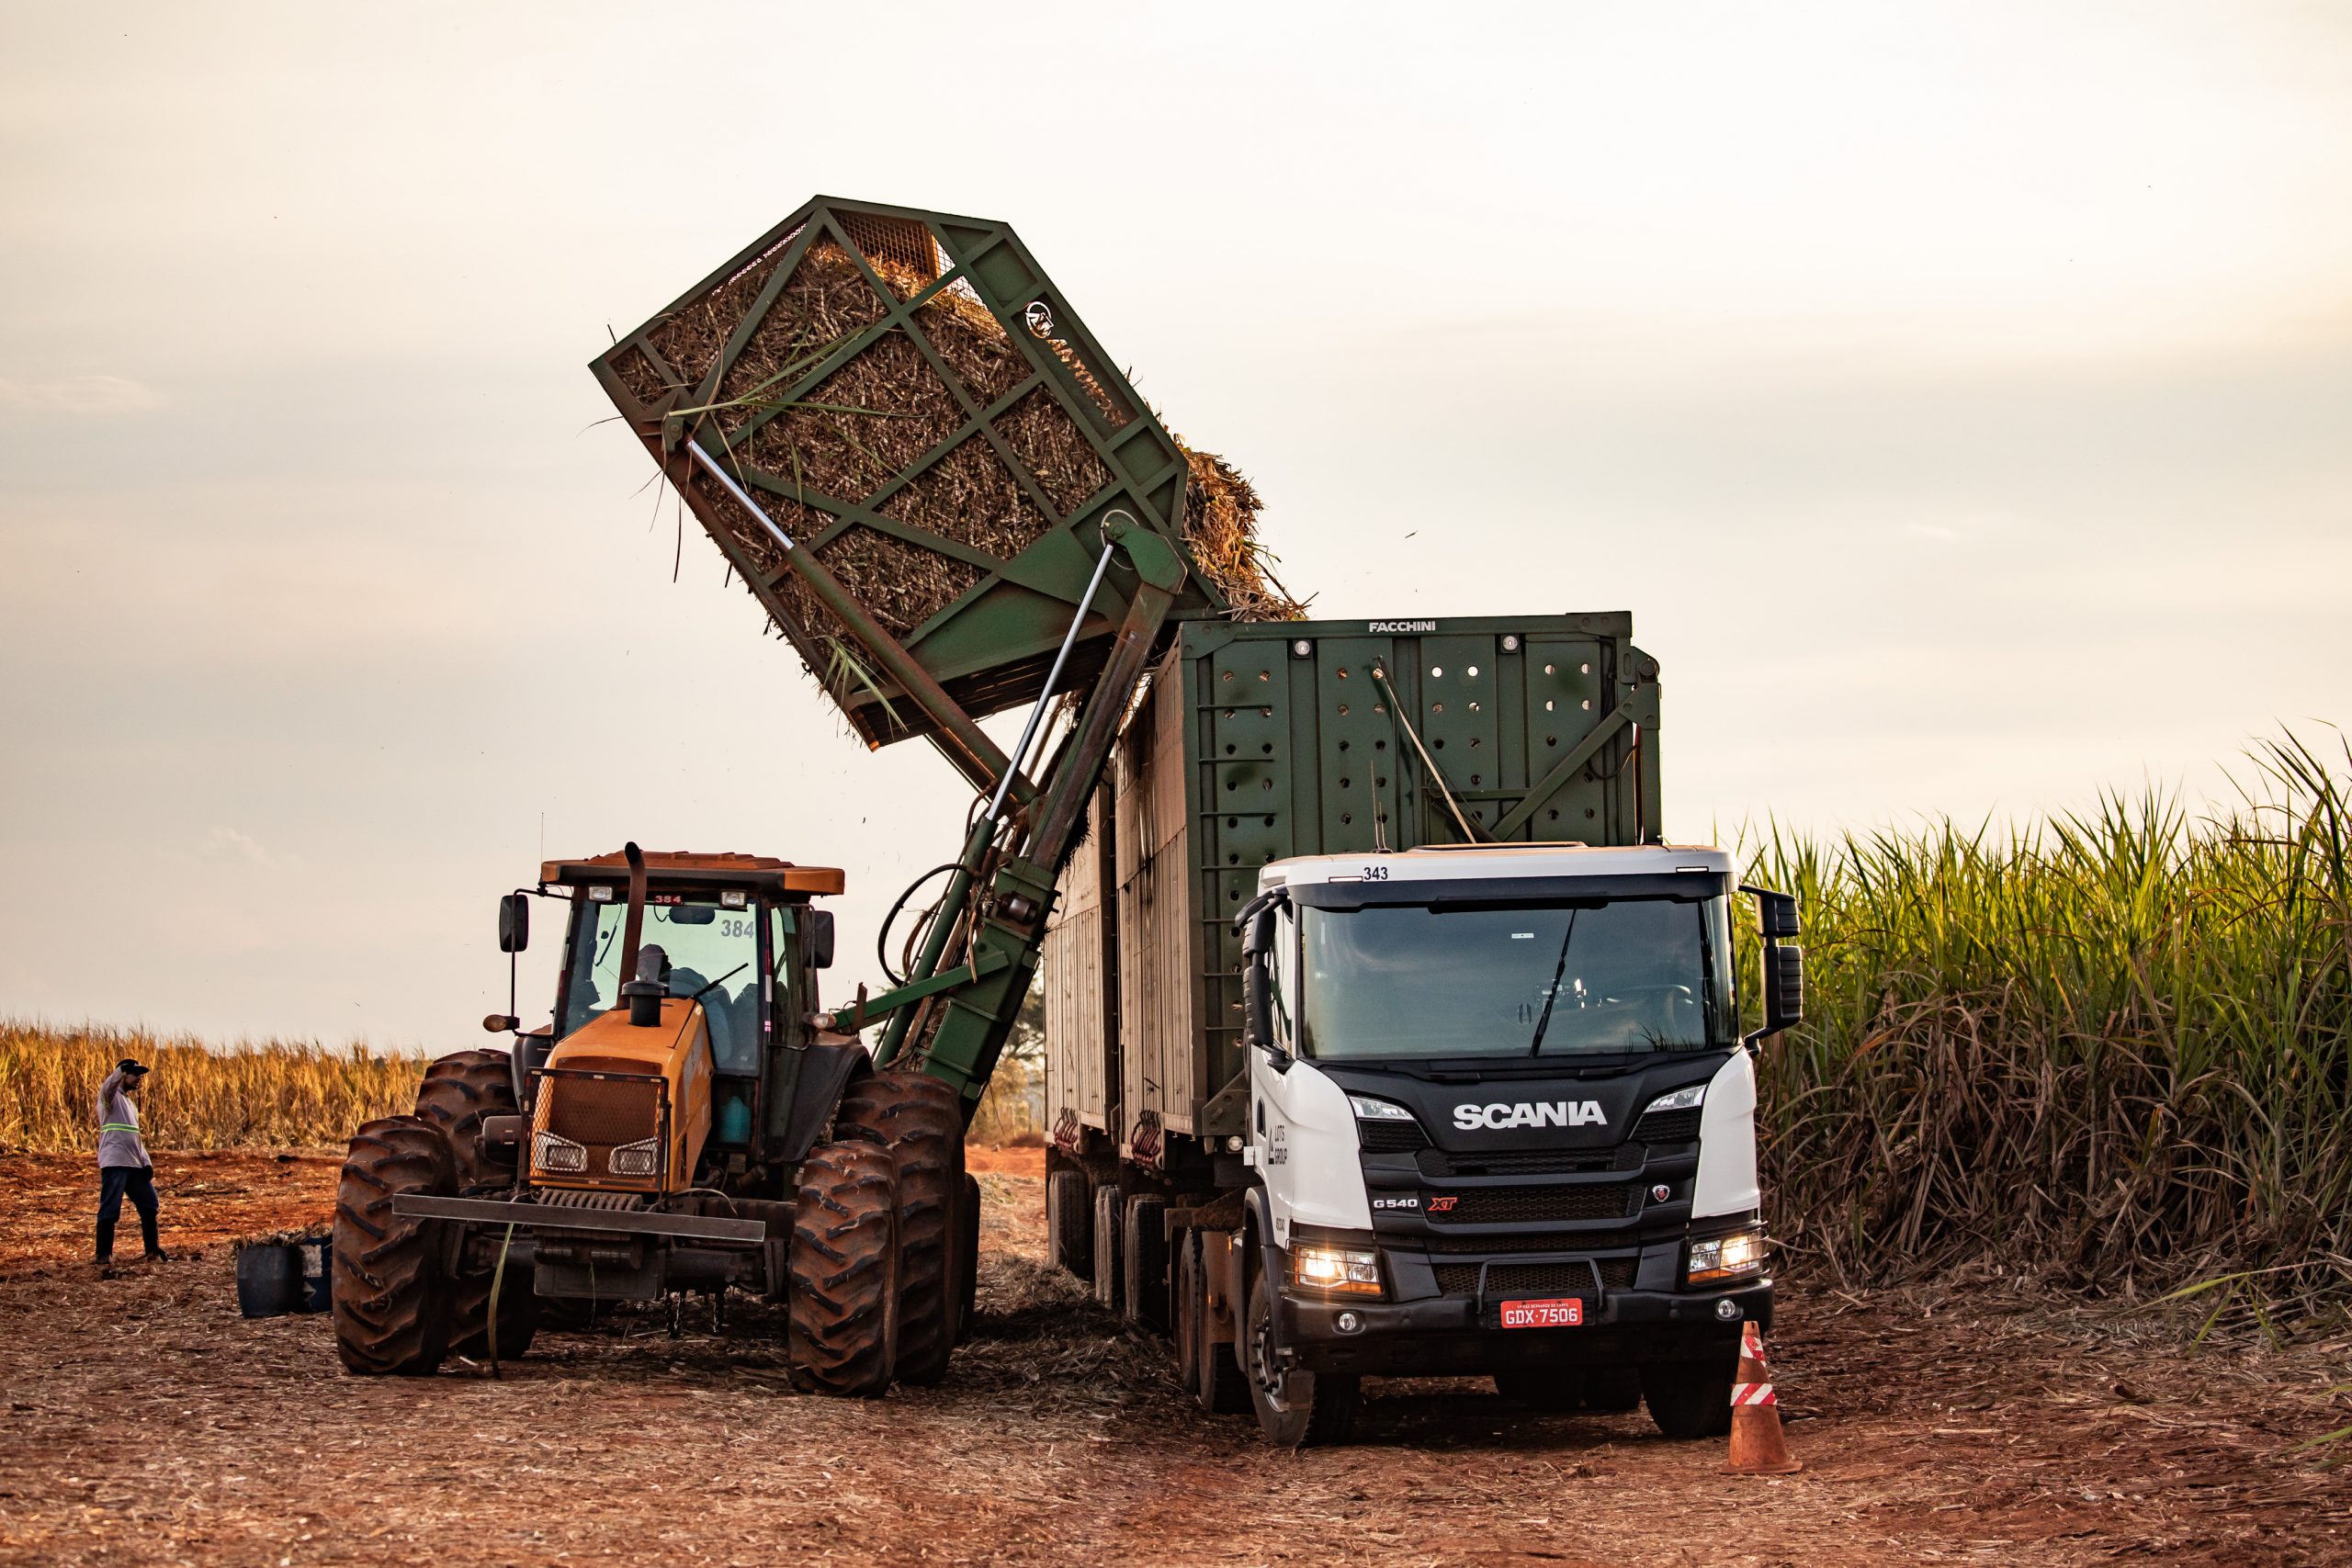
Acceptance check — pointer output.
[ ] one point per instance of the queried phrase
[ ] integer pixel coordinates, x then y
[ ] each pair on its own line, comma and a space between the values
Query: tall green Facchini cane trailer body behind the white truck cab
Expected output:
1259, 744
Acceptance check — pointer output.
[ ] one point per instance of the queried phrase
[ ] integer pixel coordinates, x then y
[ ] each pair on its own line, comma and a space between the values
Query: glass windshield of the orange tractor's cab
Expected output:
714, 953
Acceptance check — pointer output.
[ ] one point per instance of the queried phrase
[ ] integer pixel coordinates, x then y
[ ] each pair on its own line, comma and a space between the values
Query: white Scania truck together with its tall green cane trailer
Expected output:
1471, 1108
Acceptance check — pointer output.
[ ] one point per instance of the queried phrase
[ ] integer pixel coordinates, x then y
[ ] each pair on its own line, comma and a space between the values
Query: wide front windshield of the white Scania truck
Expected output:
1415, 981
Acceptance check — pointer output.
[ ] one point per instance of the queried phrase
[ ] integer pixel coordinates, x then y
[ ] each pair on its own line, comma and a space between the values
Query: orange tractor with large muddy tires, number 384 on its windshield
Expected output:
683, 1125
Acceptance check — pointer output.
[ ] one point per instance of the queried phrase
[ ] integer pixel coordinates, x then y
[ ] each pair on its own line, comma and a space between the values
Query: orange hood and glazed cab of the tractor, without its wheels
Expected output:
681, 1021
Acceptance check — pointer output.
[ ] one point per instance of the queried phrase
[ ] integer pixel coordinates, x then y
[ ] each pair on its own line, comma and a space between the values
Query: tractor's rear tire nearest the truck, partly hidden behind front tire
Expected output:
921, 1120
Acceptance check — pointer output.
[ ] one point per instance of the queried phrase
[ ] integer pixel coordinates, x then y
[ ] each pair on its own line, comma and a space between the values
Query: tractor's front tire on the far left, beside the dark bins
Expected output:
392, 1301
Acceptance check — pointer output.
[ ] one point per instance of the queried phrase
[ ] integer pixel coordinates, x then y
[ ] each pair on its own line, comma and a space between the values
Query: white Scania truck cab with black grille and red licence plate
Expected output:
1502, 1123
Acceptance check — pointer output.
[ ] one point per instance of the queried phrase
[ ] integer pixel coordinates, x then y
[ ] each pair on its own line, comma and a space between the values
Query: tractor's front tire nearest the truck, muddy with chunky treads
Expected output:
846, 1271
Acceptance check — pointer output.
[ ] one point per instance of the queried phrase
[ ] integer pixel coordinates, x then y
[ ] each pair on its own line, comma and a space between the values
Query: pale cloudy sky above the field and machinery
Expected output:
1960, 398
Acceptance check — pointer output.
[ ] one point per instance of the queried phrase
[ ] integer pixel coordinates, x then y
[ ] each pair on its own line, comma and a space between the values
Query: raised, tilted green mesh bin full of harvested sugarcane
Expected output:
911, 406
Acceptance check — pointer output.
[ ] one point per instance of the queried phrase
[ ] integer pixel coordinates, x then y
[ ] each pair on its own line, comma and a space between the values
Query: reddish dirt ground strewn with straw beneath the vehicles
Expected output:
149, 1423
